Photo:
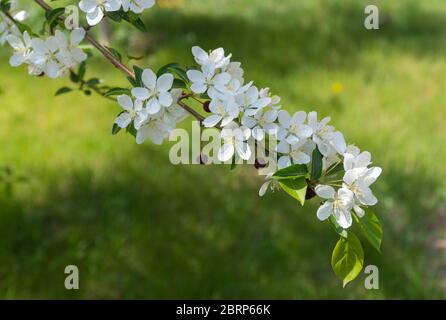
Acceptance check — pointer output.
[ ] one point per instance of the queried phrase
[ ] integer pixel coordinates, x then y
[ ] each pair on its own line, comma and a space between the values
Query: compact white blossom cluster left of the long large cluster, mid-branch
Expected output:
152, 110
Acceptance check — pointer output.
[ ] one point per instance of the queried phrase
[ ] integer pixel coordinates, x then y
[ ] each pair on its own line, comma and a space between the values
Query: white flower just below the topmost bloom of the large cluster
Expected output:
207, 79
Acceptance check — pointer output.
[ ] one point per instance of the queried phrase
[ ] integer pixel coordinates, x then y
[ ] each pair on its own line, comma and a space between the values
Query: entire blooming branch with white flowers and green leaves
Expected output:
312, 157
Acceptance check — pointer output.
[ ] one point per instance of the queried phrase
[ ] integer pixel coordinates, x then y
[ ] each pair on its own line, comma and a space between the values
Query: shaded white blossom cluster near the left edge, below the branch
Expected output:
53, 56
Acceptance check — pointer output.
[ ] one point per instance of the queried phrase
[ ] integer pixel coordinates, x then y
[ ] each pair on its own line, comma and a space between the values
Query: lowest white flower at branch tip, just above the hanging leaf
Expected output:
339, 204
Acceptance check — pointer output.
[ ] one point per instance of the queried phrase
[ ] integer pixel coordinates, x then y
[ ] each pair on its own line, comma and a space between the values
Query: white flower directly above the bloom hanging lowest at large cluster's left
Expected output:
223, 109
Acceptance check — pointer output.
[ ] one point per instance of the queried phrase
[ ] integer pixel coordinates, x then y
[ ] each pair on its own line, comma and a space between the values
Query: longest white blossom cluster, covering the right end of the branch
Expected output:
242, 112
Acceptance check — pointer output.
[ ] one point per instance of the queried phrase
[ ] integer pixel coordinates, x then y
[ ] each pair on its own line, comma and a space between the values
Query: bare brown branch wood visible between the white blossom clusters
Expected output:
111, 58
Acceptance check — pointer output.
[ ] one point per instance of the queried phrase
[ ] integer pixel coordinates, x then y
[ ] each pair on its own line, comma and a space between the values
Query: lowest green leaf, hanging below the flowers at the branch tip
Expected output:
347, 259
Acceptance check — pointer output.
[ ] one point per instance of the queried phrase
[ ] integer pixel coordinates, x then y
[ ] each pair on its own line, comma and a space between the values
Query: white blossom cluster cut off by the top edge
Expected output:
95, 9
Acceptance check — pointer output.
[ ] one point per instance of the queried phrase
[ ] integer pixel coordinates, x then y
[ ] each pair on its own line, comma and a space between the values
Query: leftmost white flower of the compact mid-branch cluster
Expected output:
132, 111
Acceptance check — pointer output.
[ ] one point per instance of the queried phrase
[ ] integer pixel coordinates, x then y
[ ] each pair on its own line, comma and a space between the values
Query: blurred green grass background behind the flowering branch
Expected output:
139, 227
